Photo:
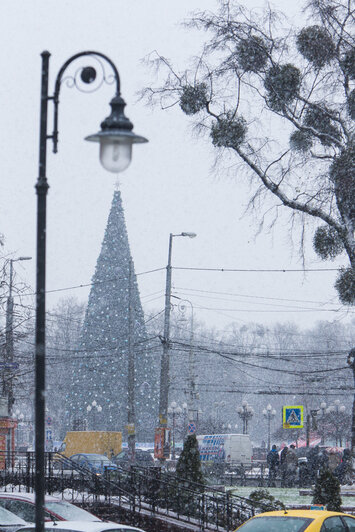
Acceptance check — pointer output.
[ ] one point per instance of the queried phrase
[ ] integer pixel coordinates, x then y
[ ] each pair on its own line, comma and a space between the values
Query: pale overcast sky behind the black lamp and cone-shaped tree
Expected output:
169, 187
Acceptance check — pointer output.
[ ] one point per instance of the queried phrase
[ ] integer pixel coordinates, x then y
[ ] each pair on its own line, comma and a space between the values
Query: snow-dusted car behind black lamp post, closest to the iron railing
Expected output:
23, 506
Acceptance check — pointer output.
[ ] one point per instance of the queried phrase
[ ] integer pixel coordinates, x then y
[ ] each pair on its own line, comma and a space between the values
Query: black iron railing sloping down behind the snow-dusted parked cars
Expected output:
135, 489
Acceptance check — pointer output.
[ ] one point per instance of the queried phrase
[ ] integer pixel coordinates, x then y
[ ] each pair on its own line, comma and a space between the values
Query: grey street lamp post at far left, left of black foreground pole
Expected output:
9, 352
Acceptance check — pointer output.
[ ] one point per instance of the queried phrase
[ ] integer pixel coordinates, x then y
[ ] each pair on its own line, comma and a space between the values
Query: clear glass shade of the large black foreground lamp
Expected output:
115, 155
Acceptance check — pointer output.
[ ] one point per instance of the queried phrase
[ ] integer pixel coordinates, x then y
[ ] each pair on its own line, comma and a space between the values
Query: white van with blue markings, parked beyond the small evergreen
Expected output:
233, 449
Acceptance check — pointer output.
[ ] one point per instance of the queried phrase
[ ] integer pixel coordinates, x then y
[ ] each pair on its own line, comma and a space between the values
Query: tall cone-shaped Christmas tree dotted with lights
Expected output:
100, 366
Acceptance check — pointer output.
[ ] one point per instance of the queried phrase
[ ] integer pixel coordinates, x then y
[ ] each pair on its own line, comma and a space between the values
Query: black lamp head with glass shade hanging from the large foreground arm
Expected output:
116, 138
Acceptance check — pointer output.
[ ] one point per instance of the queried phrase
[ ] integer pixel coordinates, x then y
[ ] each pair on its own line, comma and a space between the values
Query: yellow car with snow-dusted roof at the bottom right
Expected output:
299, 521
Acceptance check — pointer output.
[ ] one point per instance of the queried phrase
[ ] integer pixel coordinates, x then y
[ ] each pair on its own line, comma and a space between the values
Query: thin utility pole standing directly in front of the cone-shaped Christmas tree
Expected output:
131, 371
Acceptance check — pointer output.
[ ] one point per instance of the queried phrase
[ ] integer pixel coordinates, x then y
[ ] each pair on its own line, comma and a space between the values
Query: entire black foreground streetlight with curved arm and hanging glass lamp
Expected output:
116, 138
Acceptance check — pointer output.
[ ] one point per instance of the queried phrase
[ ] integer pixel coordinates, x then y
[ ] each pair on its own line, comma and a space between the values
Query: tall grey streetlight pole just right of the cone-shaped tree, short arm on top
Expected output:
164, 369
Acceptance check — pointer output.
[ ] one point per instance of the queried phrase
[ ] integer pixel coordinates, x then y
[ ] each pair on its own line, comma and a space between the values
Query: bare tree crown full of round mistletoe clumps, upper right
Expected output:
254, 71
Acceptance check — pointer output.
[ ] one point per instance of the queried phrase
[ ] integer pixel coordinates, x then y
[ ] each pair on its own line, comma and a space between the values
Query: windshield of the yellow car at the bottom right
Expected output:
280, 523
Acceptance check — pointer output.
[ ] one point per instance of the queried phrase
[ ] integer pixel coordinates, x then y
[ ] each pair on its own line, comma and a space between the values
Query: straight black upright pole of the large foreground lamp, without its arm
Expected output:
41, 190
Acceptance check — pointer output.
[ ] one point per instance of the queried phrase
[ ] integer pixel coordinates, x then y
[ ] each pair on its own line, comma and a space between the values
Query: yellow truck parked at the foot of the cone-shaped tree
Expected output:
98, 442
